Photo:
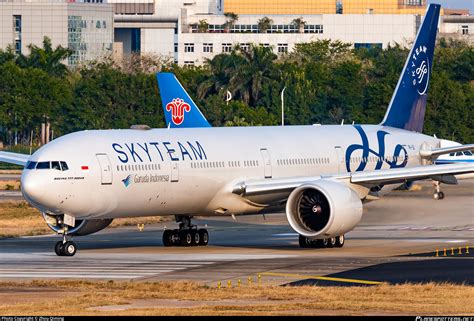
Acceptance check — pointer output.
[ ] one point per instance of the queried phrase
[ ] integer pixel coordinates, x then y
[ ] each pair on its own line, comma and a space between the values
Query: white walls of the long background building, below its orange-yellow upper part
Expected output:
170, 29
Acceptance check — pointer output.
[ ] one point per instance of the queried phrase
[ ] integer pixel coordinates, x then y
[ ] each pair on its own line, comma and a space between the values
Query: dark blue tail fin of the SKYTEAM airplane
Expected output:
408, 104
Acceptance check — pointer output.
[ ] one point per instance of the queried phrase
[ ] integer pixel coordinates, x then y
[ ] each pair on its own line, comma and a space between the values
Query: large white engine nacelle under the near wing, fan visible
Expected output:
323, 209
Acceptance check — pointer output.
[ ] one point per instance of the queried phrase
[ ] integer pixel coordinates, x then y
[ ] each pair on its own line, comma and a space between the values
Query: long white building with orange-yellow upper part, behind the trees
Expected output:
189, 31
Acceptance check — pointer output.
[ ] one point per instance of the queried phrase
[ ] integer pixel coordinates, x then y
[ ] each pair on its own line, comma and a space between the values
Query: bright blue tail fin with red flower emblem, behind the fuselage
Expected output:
178, 107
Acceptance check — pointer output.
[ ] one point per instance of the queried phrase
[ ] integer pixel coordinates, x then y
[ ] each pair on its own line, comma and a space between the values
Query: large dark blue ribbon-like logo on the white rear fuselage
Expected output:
396, 161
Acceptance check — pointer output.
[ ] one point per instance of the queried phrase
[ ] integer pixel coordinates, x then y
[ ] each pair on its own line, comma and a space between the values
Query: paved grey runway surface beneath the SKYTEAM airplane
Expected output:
396, 242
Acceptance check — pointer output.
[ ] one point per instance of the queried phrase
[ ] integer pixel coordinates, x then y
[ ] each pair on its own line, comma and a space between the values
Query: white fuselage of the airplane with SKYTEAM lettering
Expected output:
193, 171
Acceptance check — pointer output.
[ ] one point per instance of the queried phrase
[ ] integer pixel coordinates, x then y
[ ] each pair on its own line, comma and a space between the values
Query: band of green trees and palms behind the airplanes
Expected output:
326, 82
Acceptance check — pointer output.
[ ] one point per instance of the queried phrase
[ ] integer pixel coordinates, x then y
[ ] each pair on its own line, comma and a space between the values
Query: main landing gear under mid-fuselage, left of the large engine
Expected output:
186, 235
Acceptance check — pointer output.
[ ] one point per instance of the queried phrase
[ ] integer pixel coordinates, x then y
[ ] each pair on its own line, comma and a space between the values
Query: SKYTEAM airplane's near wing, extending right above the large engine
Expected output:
366, 179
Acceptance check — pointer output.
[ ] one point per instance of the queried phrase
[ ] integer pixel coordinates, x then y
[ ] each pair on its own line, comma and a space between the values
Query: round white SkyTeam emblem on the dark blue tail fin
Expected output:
420, 69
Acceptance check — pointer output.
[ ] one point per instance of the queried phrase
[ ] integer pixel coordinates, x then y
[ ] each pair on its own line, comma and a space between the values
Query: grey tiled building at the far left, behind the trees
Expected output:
85, 26
